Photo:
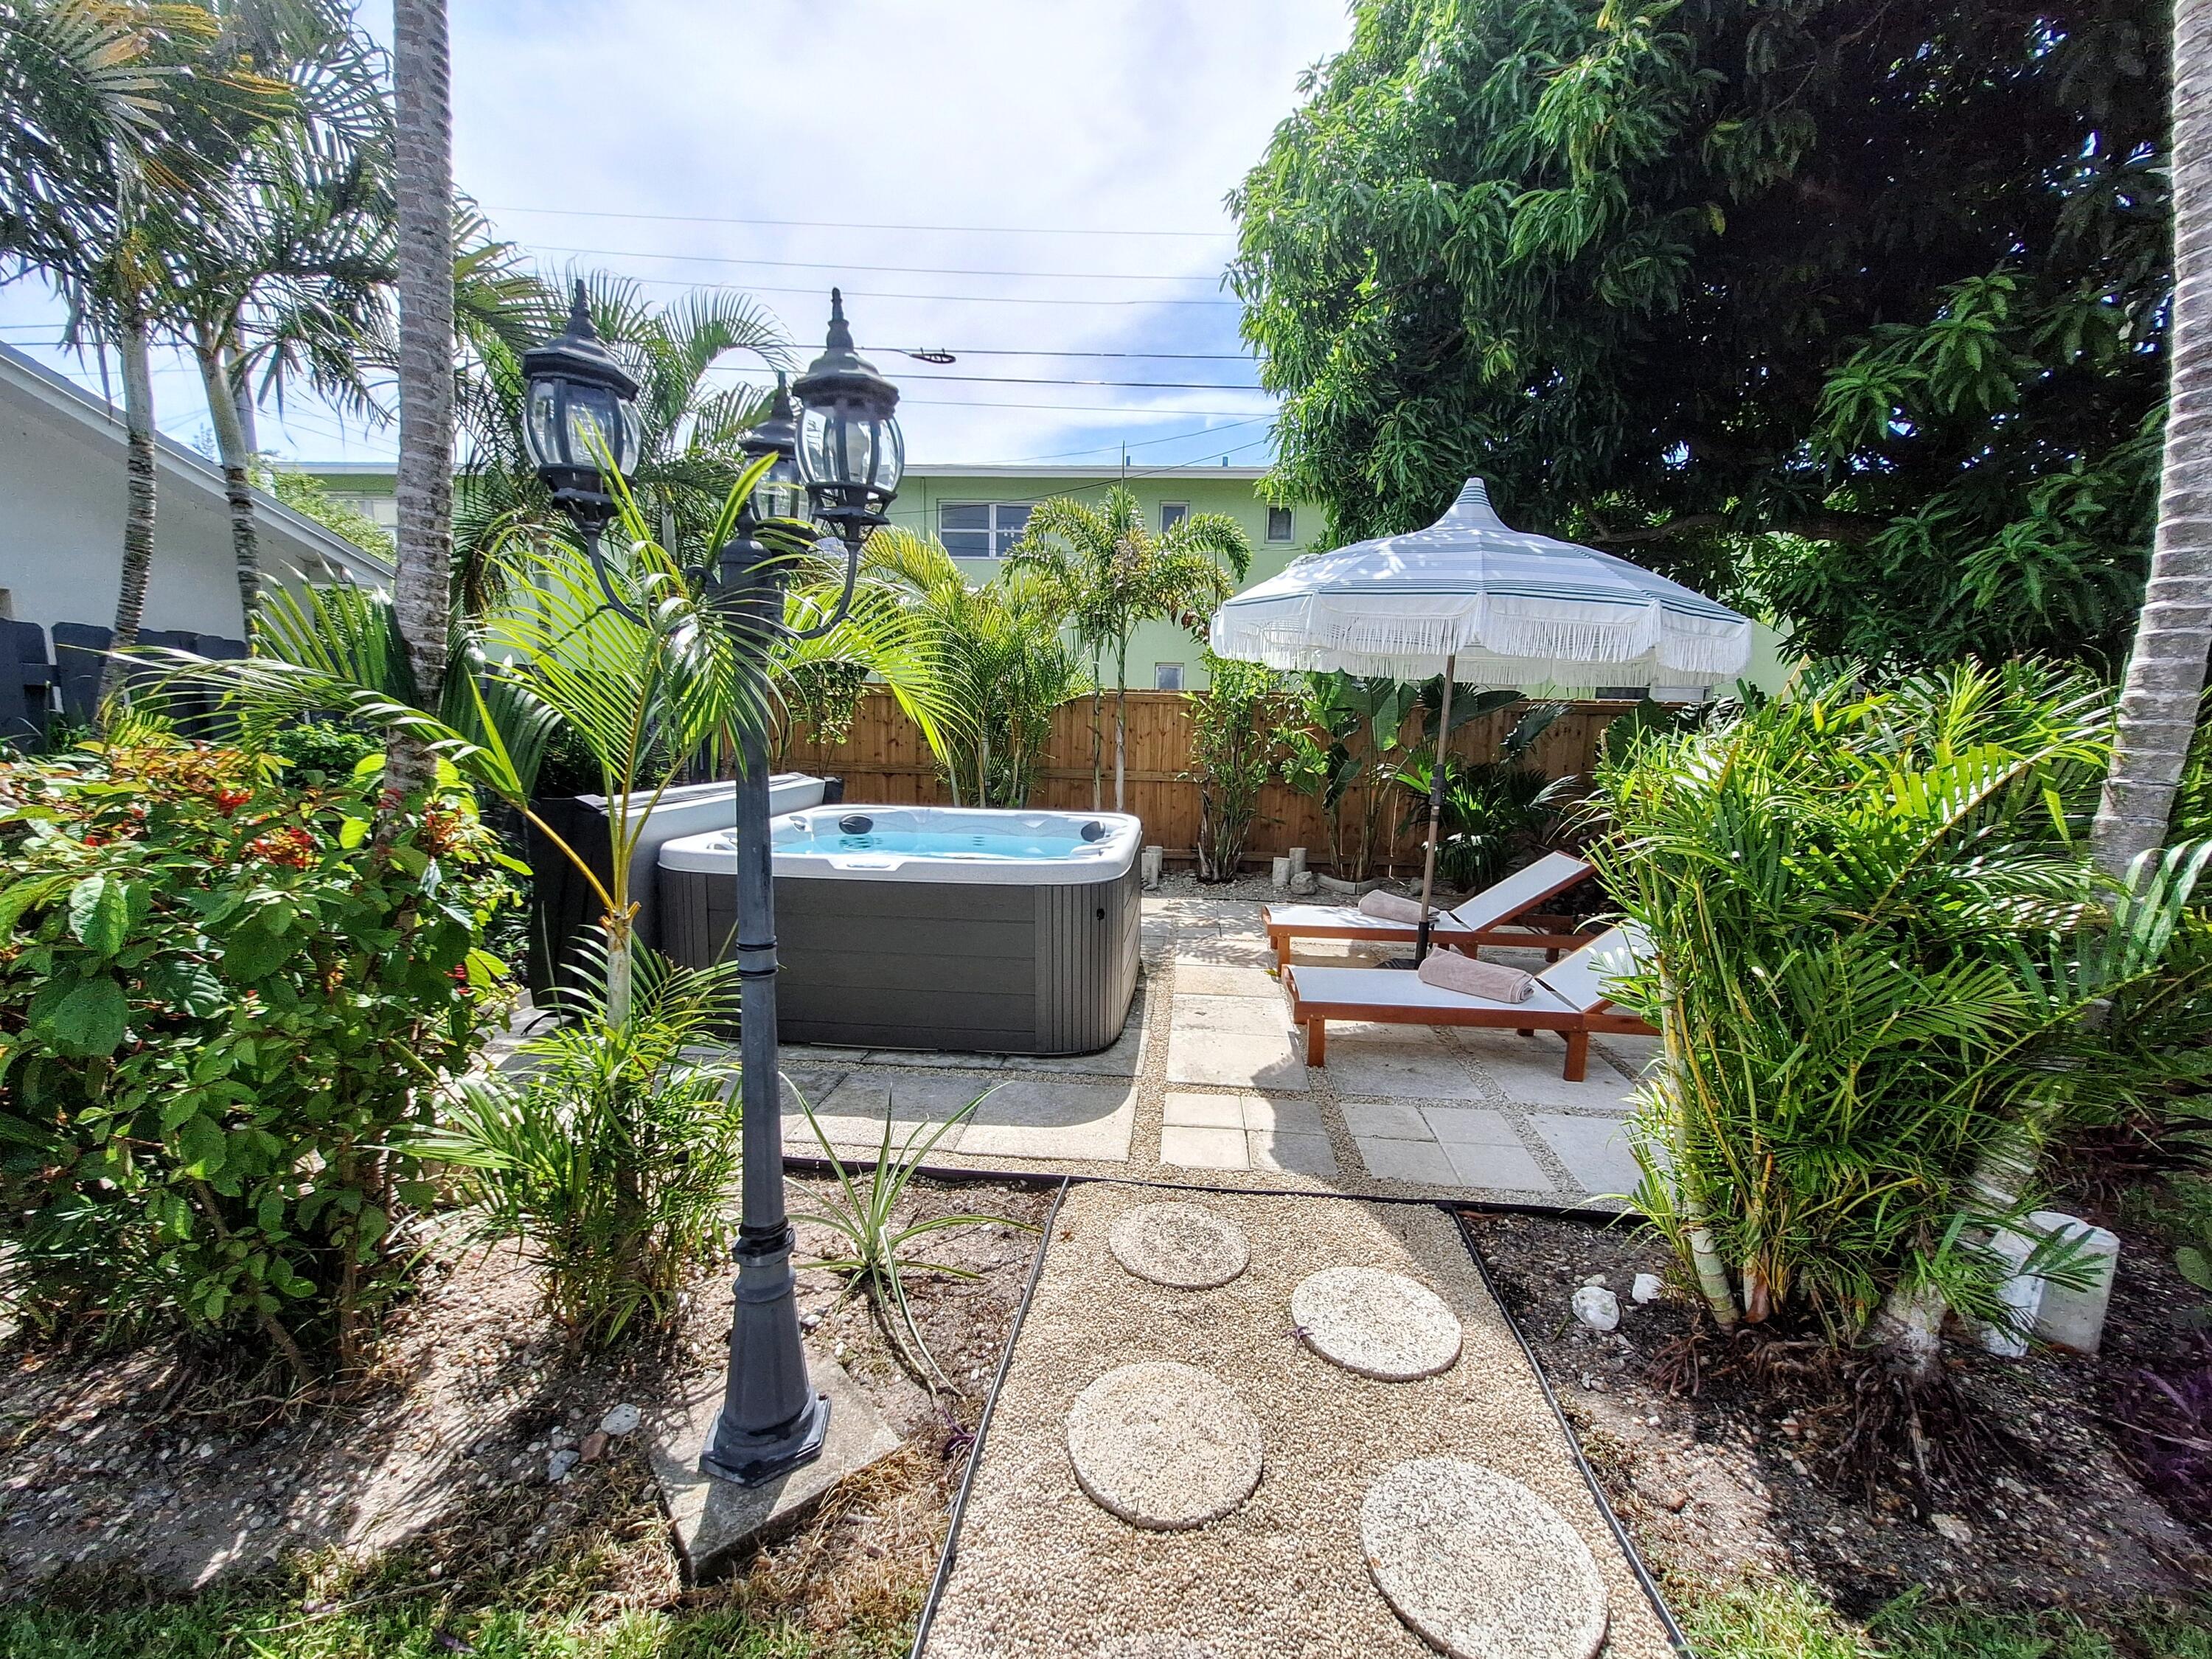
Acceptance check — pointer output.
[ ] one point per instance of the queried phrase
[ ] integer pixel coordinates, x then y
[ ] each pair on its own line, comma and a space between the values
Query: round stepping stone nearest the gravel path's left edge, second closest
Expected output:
1165, 1446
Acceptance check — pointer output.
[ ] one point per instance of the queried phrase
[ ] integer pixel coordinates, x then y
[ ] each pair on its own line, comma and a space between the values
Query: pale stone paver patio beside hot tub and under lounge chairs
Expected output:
1209, 1087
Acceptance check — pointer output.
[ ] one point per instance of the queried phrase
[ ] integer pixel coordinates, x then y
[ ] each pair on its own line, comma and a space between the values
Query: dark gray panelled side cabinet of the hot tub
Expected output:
966, 968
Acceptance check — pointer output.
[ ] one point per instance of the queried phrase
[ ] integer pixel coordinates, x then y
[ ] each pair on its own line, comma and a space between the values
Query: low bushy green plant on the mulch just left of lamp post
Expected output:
612, 1151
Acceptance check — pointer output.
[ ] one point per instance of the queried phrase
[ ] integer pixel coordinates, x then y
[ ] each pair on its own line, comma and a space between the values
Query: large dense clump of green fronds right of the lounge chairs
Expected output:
1877, 952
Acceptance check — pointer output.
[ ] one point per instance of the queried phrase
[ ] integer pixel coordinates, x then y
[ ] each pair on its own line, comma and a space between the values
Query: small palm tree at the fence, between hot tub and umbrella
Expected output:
1109, 572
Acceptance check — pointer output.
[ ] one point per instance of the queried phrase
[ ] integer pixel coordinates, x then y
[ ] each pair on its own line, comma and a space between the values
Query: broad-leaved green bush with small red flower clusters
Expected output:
225, 1021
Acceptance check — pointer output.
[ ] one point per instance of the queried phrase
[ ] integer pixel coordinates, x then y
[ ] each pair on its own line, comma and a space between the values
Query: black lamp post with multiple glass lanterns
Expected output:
848, 455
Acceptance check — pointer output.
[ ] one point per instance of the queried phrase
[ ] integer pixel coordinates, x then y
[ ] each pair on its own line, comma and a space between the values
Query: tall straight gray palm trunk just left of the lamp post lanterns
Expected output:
424, 174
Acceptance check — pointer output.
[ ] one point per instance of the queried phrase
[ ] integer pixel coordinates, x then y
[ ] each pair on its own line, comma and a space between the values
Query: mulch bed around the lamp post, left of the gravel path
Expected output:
171, 1472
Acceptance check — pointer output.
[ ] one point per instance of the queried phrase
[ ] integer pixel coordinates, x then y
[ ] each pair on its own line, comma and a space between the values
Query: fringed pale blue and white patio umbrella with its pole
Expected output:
1507, 607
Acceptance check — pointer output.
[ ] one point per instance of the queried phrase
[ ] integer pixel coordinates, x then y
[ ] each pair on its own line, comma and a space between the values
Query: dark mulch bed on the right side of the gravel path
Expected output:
1724, 1454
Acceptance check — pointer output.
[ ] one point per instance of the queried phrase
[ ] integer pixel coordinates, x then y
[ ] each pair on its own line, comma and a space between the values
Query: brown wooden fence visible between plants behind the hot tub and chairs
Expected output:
888, 762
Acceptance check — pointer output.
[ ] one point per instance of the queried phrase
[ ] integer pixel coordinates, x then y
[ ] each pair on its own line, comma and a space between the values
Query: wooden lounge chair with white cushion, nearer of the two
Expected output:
1569, 999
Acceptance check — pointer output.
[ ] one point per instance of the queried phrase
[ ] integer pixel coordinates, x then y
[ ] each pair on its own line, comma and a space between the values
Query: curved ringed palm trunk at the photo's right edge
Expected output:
2167, 671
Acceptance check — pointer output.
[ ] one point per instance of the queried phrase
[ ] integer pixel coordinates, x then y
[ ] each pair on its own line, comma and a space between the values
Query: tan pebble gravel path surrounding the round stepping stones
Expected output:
1045, 1572
